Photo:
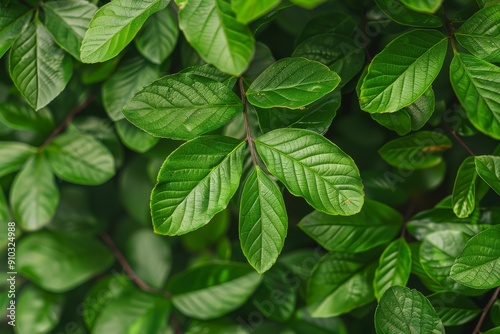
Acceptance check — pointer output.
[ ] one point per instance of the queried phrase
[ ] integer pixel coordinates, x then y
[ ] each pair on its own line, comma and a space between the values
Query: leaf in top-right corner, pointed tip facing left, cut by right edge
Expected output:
480, 34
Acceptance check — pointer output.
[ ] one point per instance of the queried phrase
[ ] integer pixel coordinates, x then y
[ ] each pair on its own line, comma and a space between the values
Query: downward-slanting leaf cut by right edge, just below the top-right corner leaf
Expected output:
476, 84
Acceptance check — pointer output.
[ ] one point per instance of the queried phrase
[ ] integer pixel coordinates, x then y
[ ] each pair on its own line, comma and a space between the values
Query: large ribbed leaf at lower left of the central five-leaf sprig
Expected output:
185, 199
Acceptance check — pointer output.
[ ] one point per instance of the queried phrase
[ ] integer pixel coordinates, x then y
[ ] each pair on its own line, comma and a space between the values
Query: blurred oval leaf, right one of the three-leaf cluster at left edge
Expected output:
80, 159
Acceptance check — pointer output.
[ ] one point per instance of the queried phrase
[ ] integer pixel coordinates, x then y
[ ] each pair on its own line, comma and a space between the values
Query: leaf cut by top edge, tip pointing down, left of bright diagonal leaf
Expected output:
67, 21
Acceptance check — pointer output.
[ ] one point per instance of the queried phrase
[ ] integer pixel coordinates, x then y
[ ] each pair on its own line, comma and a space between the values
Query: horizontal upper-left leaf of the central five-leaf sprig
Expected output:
182, 106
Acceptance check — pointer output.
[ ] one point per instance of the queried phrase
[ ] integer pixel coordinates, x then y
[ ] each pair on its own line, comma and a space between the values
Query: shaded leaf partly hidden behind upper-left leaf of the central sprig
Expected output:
132, 75
